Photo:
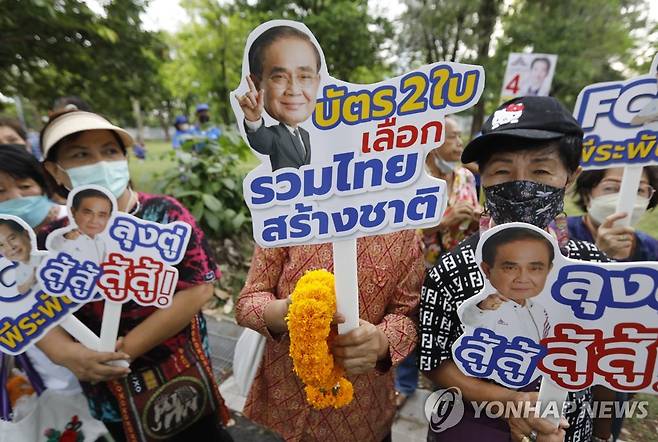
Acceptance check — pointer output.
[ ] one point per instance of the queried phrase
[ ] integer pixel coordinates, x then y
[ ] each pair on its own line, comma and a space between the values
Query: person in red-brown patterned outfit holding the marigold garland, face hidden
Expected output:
390, 271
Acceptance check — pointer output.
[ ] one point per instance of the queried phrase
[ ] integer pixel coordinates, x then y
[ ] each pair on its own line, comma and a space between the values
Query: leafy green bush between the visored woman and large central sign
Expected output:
208, 182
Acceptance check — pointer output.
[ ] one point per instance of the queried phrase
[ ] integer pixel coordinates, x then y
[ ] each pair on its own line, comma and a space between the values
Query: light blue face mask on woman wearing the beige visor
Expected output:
111, 175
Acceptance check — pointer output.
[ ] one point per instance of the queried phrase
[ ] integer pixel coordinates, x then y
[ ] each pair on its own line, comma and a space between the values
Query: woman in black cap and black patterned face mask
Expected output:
528, 154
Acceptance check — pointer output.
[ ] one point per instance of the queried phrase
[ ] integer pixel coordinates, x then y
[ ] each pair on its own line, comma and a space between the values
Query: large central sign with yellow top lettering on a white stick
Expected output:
340, 160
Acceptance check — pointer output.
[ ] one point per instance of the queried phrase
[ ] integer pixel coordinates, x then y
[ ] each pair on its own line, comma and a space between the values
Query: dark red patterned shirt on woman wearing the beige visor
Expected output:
197, 267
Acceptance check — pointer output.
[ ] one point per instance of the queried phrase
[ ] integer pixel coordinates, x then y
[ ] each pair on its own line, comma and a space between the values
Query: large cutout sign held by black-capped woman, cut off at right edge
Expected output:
576, 323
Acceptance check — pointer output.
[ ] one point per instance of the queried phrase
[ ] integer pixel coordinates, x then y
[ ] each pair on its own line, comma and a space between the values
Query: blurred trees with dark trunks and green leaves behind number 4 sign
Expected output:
595, 39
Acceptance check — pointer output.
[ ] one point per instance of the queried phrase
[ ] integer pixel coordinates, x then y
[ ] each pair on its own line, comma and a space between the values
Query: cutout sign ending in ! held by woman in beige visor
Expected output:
105, 254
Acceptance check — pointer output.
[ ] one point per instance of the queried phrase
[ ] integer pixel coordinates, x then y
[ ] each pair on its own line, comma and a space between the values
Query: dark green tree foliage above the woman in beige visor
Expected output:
52, 49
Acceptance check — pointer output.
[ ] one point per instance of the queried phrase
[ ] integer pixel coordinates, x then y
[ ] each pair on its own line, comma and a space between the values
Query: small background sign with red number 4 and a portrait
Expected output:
528, 74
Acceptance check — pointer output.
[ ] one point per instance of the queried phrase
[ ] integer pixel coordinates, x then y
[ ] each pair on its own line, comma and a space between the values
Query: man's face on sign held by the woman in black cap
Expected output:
520, 269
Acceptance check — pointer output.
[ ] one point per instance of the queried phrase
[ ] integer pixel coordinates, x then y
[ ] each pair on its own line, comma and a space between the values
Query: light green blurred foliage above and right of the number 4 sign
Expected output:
593, 39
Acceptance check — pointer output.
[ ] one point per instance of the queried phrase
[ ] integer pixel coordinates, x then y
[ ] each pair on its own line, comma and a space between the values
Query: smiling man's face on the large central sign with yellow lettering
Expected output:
290, 80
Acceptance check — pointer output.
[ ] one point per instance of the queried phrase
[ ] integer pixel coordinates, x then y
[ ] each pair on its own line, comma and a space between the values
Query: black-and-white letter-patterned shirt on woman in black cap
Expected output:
457, 278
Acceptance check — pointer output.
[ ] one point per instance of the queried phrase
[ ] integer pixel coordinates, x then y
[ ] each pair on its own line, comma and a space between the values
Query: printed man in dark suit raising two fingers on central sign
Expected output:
284, 80
